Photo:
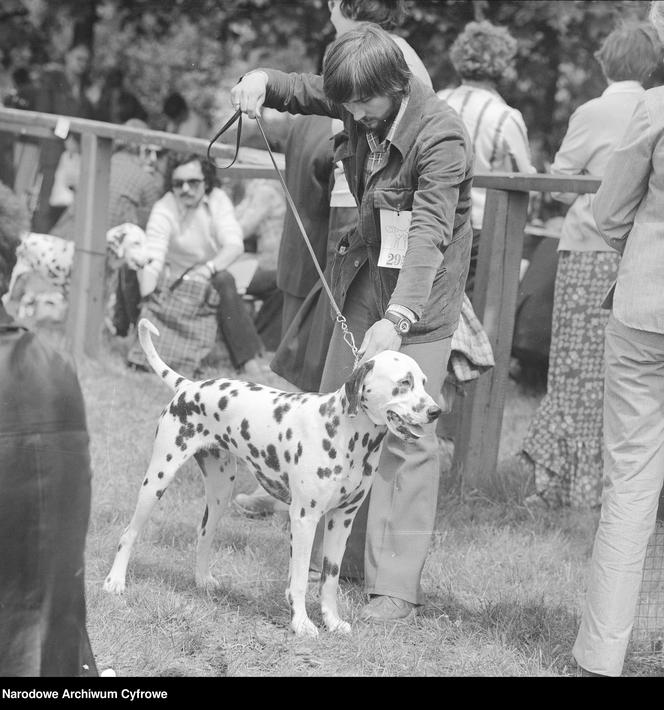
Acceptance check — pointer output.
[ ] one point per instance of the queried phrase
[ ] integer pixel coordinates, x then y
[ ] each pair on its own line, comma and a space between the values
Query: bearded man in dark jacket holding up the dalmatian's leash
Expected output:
409, 166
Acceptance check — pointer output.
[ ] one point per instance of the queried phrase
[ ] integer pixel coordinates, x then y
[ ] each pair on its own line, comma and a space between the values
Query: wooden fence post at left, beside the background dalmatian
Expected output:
86, 298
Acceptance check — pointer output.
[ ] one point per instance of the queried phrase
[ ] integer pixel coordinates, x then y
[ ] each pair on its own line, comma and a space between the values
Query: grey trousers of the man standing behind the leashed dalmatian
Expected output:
392, 529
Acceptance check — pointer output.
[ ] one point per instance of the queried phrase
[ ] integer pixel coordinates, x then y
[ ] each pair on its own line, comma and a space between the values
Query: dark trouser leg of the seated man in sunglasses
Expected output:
237, 327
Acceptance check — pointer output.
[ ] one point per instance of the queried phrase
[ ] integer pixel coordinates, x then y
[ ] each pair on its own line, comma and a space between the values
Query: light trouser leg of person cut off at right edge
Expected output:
633, 474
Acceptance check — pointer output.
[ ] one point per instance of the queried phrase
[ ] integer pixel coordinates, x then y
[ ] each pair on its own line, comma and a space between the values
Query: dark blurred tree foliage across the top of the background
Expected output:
201, 47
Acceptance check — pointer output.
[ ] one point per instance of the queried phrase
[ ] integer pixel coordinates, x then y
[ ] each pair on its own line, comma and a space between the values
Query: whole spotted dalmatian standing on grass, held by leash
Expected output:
316, 452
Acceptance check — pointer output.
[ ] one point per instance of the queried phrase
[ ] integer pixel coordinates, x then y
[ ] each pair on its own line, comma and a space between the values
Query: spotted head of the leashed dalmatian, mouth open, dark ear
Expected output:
389, 388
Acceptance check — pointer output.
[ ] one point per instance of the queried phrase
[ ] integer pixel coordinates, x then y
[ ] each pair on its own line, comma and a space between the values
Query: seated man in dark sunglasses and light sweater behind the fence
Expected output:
194, 225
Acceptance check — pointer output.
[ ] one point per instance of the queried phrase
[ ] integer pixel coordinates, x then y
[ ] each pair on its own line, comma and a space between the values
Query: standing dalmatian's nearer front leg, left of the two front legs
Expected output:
303, 527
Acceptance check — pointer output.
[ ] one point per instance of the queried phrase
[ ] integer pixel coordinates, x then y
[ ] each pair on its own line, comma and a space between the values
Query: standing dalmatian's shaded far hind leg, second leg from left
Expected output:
219, 469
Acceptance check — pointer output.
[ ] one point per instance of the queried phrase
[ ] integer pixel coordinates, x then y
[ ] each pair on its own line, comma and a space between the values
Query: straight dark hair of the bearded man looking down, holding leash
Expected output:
364, 63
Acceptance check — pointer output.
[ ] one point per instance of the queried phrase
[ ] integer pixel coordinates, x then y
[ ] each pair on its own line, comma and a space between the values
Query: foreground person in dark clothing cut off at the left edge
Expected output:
44, 493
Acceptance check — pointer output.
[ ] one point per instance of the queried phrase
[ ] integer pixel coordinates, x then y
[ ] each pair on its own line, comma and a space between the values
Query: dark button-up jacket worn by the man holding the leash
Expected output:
428, 172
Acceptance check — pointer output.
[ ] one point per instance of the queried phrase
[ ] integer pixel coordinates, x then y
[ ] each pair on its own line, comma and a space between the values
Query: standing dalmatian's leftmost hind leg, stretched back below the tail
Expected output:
160, 473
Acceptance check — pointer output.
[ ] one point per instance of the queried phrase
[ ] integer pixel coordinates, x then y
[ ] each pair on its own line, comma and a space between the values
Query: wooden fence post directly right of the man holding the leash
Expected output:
494, 301
